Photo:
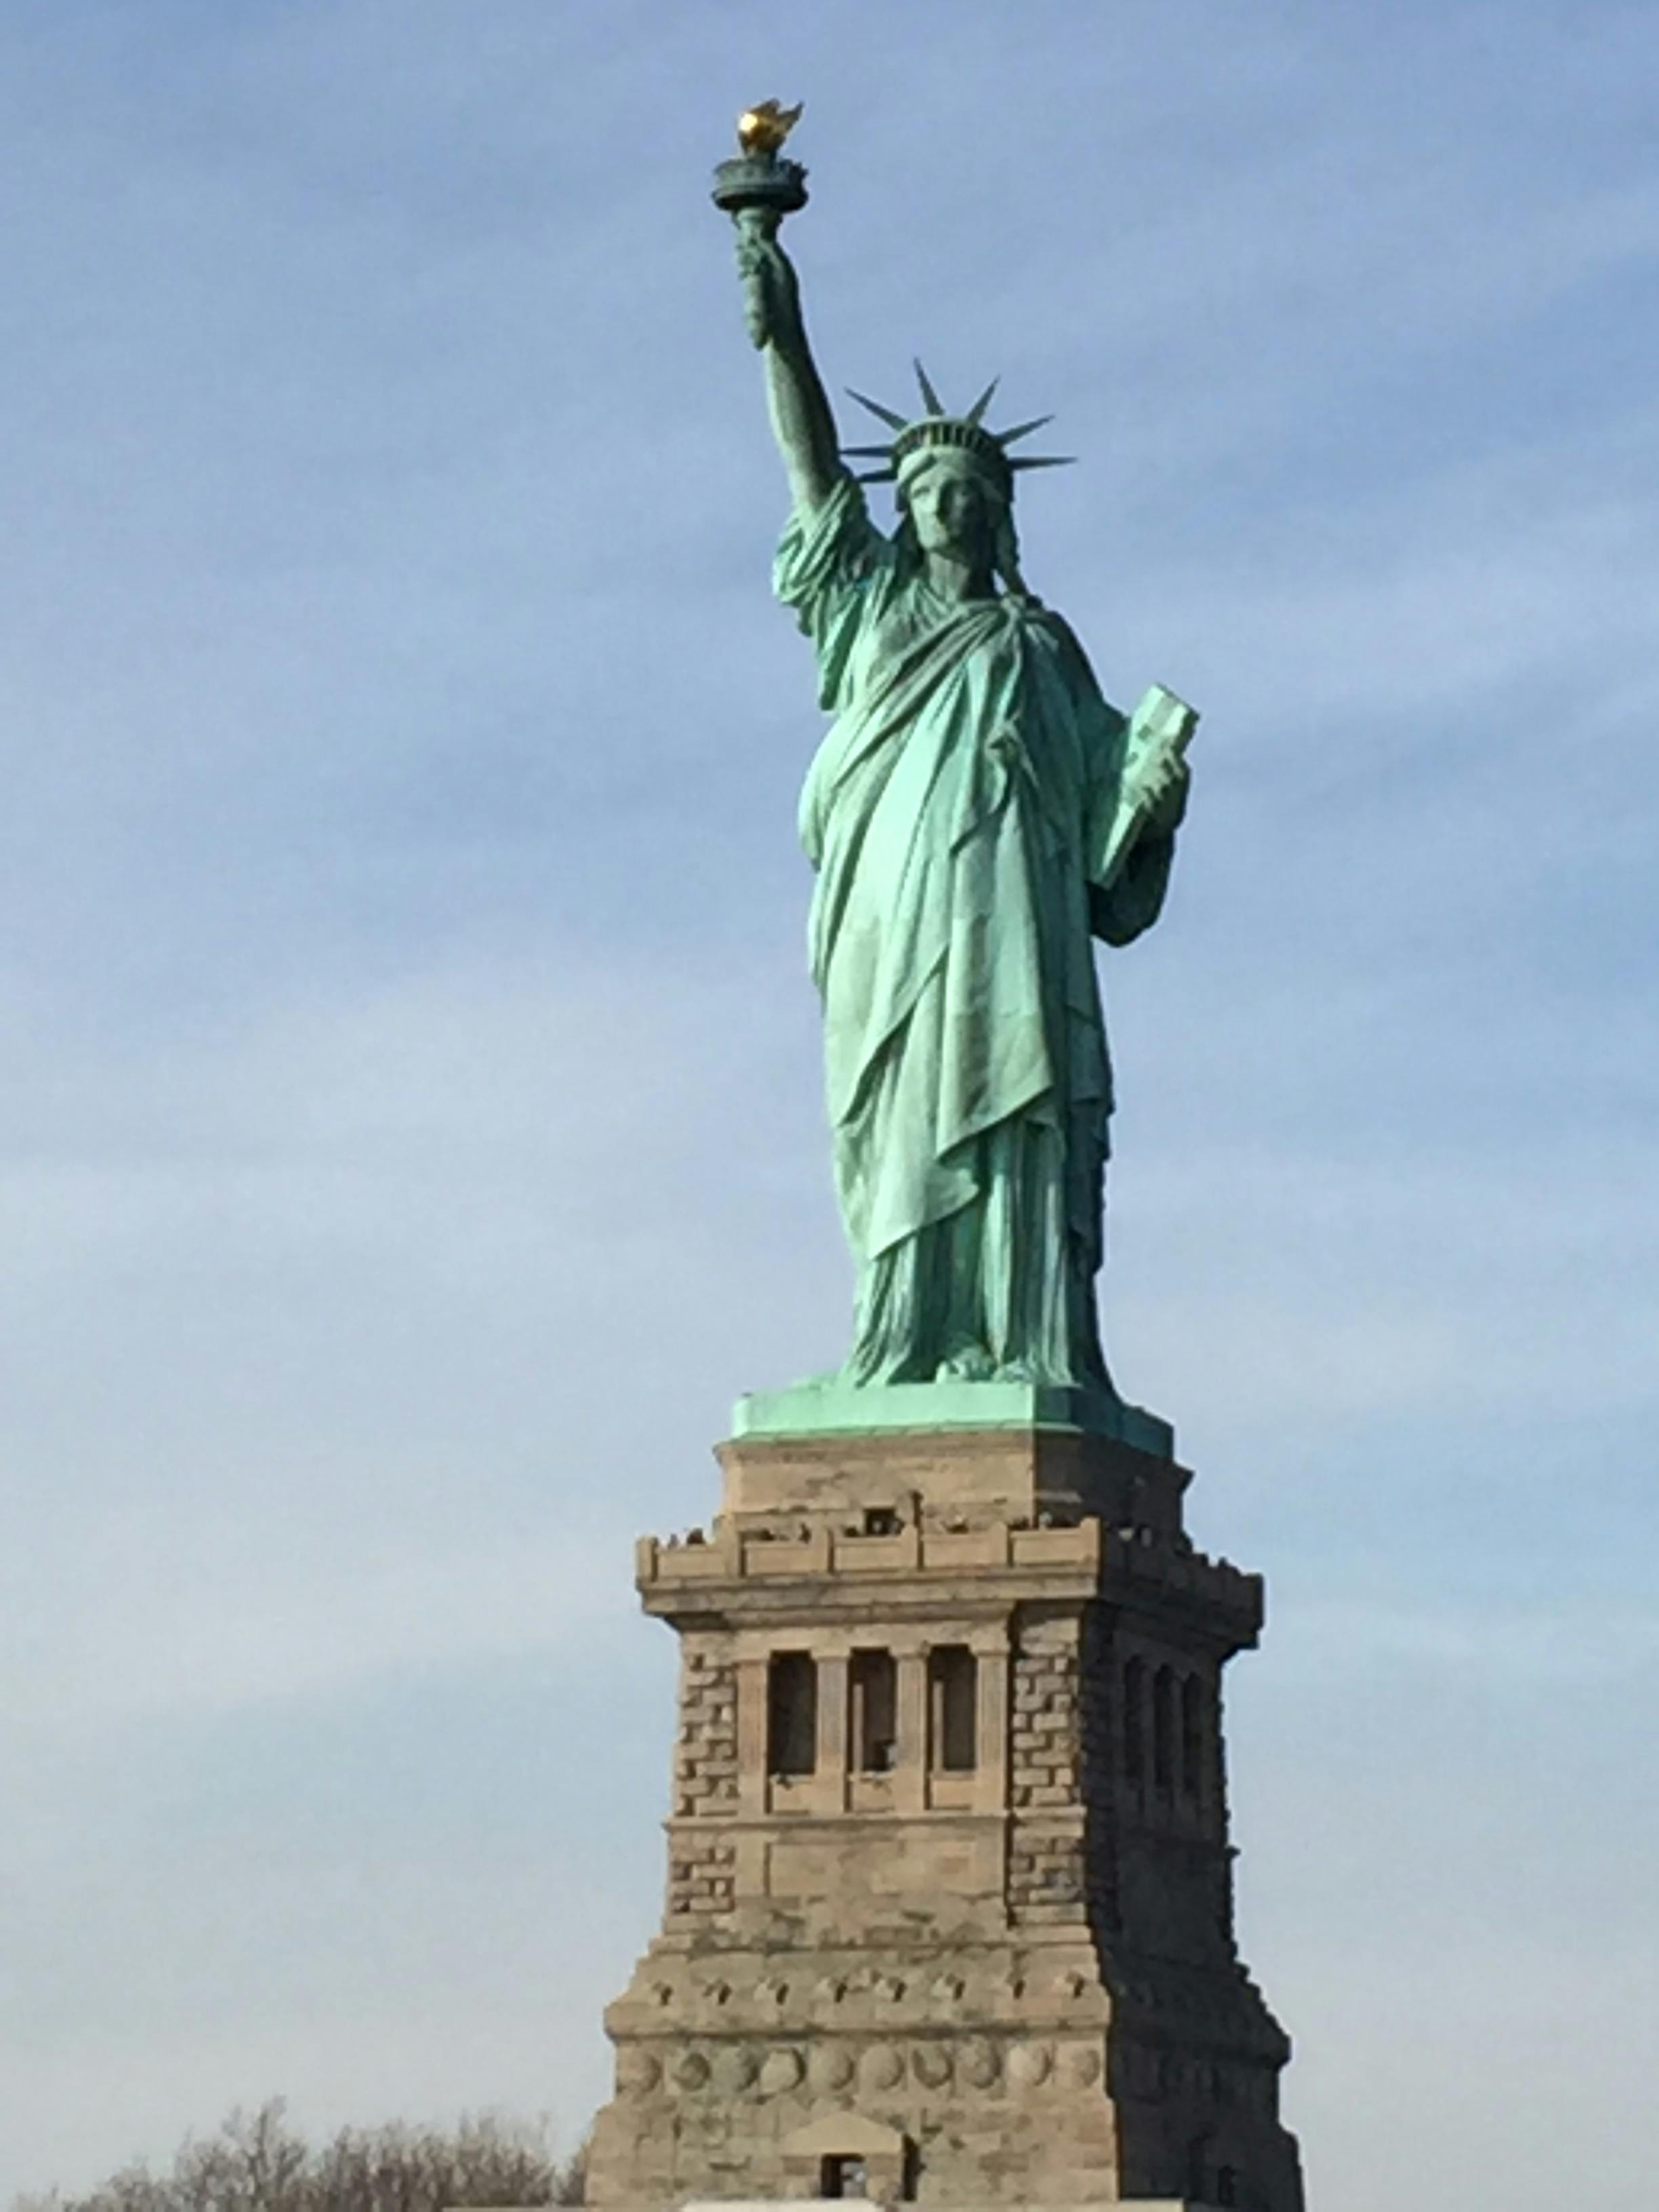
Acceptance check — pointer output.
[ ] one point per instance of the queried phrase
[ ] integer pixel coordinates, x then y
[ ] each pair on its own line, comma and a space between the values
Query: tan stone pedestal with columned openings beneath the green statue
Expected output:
950, 1899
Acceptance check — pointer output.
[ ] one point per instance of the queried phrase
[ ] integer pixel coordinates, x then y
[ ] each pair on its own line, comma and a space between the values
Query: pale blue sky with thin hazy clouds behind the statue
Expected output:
410, 1129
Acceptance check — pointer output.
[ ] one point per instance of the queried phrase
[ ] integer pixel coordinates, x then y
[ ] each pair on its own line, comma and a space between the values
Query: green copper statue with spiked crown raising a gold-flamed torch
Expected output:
977, 817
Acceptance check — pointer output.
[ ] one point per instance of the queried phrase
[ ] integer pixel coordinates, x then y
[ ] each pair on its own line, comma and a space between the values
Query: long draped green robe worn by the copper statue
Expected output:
952, 813
